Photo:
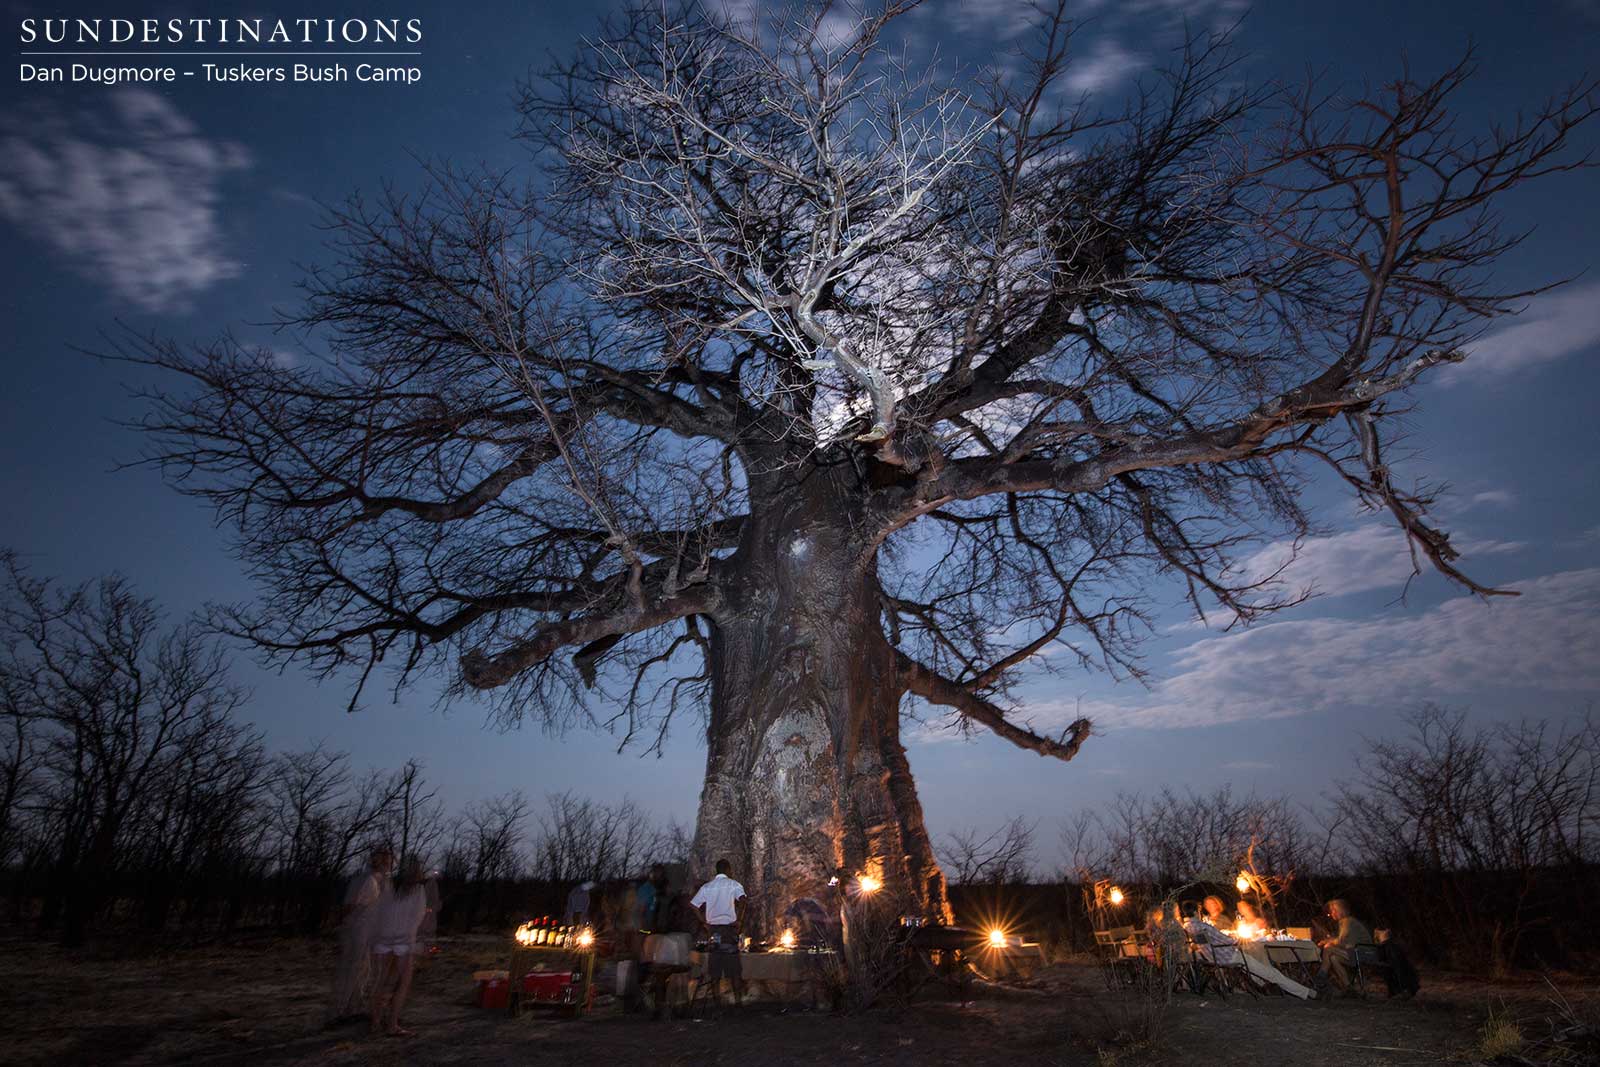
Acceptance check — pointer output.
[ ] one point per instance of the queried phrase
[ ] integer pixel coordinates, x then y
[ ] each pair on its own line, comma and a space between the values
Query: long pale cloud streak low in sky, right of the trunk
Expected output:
1545, 641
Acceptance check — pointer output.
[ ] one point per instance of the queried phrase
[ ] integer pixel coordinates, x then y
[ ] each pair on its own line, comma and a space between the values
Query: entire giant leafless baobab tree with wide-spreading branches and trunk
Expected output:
799, 385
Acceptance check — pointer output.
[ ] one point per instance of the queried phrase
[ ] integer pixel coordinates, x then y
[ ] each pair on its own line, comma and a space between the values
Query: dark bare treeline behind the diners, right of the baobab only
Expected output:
1478, 847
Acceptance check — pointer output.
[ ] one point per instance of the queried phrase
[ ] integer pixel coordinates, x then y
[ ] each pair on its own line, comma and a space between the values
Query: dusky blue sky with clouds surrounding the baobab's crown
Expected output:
185, 210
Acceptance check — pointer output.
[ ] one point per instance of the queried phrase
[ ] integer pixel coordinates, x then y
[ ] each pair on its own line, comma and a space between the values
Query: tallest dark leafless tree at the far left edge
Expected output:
122, 713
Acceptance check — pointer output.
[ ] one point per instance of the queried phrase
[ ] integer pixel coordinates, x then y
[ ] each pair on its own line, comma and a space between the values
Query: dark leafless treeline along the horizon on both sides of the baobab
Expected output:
134, 797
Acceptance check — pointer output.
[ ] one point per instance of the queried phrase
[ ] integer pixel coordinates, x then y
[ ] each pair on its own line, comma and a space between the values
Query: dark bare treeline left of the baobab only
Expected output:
132, 794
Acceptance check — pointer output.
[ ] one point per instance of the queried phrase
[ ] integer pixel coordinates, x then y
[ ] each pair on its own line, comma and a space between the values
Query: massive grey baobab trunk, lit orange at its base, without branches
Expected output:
806, 773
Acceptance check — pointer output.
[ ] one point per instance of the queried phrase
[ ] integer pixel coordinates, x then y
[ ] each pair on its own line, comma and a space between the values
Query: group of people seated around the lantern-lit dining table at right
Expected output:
1228, 940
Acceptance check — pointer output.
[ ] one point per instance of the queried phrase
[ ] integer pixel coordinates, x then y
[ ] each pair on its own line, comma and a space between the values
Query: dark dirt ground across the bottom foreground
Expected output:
263, 1005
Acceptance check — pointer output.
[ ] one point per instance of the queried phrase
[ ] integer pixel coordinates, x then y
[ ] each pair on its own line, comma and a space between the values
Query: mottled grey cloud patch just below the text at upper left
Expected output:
129, 198
